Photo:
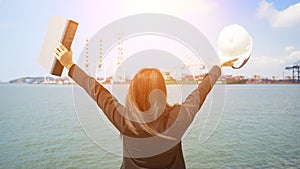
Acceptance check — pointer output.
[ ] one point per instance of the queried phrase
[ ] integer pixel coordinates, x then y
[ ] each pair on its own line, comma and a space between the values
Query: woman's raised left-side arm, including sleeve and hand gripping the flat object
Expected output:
95, 90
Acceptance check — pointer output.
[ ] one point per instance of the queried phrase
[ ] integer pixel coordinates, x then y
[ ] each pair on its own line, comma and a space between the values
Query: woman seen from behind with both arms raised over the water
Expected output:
151, 129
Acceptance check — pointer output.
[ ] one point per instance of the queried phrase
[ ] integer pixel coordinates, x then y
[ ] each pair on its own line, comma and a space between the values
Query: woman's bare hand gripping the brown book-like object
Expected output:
64, 56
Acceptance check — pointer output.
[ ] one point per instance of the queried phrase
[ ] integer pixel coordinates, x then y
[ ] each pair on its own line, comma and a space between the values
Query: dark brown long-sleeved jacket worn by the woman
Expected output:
142, 150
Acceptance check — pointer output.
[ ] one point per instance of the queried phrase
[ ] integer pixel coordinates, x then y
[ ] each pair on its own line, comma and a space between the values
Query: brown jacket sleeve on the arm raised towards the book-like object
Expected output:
105, 100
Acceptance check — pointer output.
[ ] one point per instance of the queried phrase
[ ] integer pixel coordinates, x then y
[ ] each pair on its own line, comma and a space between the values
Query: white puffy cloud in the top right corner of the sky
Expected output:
284, 18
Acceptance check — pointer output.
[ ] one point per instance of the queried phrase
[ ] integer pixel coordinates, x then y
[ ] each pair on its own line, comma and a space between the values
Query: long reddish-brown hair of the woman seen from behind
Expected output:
146, 97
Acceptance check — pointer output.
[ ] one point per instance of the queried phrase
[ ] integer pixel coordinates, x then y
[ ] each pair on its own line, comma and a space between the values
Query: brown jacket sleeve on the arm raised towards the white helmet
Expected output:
194, 101
